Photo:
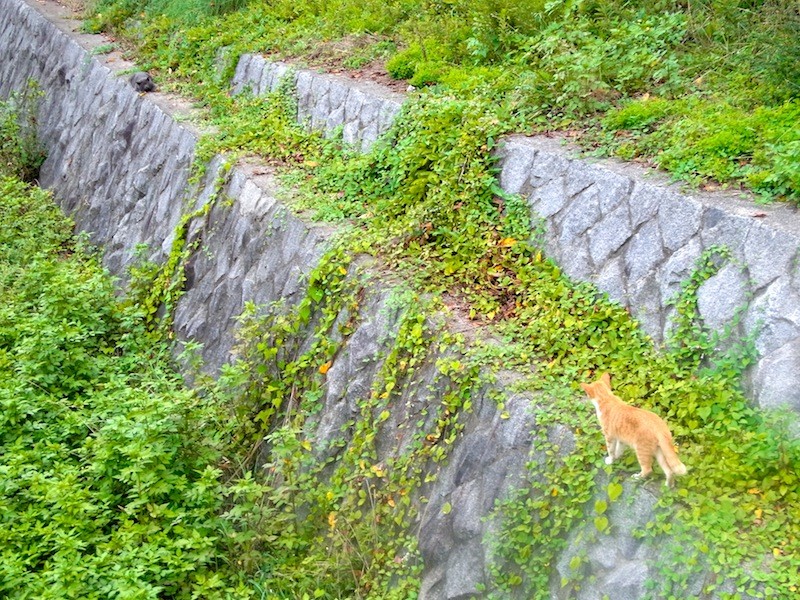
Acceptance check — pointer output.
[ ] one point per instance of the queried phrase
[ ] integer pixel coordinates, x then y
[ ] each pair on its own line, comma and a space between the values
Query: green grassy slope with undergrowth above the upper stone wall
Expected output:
706, 90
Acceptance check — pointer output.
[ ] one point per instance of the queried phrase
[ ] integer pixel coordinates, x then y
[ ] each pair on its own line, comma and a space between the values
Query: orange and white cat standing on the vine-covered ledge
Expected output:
625, 425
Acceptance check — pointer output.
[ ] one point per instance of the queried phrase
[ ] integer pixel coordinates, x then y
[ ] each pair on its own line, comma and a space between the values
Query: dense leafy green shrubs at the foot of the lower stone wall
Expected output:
109, 472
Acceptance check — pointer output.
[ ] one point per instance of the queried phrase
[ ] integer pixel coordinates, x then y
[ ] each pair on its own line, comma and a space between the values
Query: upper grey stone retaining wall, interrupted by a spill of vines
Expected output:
629, 231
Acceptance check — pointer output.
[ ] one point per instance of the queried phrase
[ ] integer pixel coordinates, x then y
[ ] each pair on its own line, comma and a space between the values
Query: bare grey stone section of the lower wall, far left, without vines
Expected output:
118, 164
